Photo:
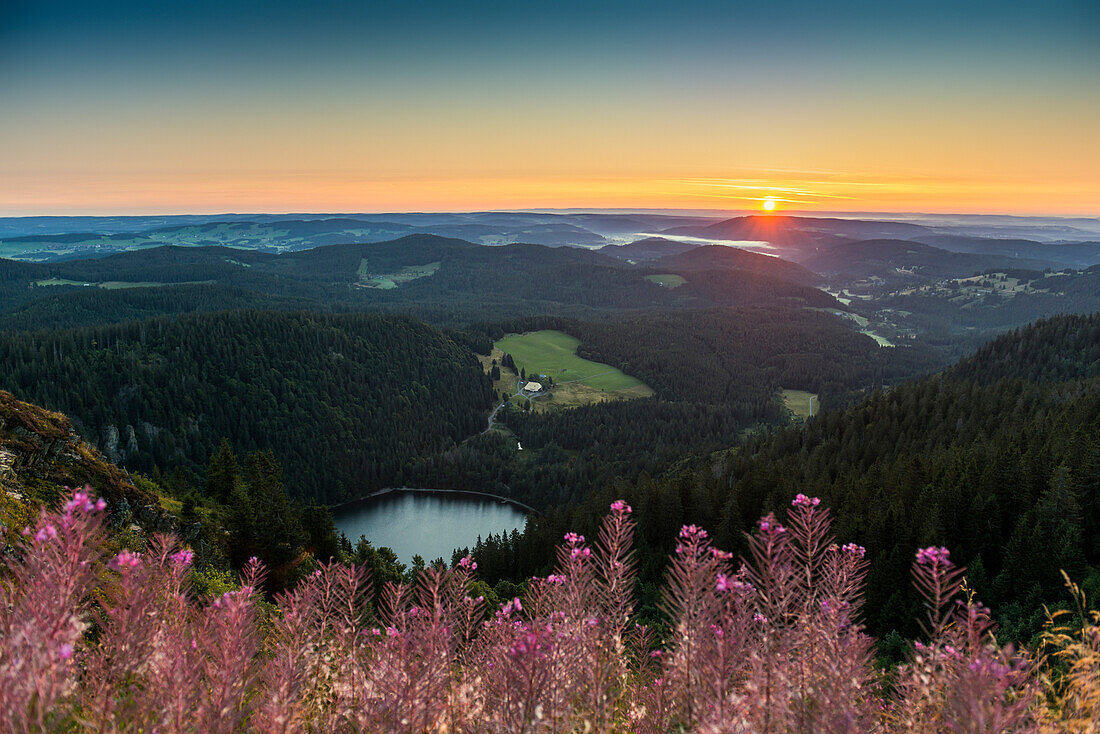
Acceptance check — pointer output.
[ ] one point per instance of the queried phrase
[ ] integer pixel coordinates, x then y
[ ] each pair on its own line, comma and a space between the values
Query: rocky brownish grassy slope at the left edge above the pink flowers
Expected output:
37, 444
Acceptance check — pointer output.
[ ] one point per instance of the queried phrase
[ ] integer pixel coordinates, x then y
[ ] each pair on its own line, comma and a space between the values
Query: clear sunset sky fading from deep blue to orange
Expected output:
201, 106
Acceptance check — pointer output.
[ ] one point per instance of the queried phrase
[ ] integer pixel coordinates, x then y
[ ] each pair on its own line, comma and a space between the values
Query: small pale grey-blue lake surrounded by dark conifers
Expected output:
430, 524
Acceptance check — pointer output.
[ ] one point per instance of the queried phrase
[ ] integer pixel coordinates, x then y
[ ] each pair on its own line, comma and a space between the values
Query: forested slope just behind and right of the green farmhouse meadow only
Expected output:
735, 357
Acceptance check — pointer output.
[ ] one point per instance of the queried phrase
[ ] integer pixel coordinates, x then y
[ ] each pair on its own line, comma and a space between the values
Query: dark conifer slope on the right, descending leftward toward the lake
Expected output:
1003, 470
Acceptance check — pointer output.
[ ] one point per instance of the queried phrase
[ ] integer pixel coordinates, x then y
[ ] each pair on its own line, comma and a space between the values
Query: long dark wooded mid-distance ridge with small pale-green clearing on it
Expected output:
445, 281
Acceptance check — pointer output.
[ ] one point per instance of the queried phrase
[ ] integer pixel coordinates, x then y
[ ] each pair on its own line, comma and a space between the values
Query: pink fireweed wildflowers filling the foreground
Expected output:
92, 641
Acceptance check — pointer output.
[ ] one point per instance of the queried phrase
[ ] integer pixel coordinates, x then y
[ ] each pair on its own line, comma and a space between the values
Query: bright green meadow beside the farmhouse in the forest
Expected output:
555, 354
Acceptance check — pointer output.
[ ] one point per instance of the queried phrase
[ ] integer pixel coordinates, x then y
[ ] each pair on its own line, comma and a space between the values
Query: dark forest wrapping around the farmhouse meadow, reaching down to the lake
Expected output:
718, 375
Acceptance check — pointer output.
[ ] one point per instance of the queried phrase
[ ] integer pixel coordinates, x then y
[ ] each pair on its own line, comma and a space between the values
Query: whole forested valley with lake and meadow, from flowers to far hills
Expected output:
702, 384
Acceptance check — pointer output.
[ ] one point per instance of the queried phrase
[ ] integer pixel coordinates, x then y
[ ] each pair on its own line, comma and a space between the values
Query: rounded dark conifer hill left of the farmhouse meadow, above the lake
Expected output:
345, 402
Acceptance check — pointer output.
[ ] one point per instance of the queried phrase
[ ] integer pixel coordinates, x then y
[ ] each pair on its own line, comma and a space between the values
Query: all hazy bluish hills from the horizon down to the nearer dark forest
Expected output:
915, 278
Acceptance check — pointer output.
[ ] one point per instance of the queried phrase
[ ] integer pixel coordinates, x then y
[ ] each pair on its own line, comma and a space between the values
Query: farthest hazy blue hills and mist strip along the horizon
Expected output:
60, 238
